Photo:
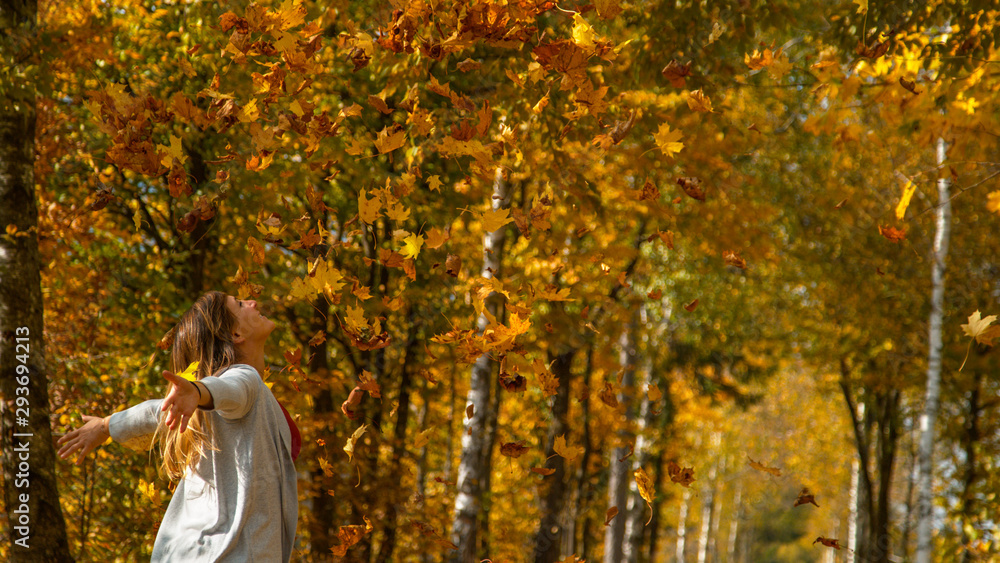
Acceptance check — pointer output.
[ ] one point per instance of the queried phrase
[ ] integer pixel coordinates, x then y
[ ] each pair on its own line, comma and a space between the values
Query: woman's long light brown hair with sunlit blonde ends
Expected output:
204, 335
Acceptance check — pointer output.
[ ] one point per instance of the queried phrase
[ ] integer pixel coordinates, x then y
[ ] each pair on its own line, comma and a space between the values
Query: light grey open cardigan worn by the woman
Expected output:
242, 502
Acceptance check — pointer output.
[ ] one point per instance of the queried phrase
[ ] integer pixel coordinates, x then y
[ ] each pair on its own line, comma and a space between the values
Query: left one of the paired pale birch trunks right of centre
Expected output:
618, 483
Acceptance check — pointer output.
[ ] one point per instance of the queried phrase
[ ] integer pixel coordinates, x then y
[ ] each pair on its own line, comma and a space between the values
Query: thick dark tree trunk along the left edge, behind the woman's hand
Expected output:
37, 531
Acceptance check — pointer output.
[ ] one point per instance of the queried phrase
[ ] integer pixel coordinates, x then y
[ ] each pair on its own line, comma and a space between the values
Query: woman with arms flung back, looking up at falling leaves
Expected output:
224, 437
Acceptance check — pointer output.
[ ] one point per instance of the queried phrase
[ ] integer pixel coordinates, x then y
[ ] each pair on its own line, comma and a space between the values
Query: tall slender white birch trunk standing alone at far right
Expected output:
942, 232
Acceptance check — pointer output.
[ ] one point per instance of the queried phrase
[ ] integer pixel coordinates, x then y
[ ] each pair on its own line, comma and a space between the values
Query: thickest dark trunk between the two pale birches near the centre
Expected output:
548, 538
